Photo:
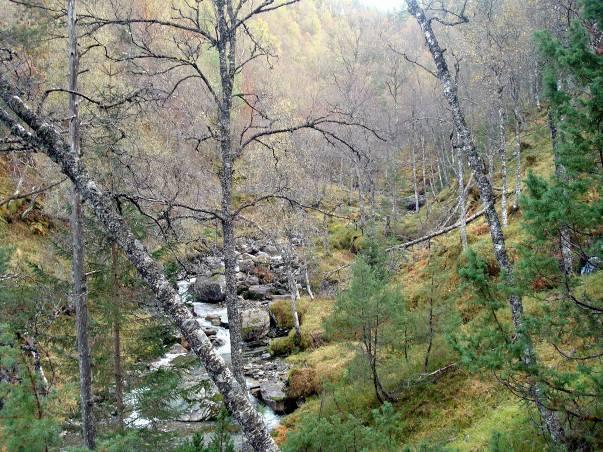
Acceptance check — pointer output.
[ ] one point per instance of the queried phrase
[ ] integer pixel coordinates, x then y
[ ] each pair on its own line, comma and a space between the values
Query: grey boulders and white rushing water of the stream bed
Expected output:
261, 278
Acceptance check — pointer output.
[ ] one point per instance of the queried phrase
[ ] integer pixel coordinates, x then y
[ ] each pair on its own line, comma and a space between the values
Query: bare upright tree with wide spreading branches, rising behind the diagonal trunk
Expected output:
221, 26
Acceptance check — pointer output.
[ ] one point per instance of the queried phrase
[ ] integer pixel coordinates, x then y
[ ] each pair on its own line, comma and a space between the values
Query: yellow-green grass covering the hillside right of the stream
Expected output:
461, 410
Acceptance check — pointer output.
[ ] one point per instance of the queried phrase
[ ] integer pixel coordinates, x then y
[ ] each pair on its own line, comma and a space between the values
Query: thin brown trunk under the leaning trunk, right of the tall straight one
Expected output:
117, 368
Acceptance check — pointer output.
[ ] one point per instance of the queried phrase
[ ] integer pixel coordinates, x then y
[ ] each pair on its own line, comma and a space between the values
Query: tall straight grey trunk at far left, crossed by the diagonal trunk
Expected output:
80, 294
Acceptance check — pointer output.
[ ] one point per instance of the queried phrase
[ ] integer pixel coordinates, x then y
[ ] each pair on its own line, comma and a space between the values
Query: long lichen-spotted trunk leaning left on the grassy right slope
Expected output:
550, 418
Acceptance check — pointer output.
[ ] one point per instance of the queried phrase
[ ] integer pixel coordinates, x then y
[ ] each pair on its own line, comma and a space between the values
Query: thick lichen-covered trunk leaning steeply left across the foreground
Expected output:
46, 138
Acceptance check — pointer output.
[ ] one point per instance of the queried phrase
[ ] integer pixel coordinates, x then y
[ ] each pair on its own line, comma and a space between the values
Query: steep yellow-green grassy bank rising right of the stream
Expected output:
456, 408
